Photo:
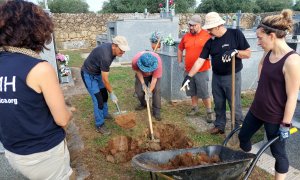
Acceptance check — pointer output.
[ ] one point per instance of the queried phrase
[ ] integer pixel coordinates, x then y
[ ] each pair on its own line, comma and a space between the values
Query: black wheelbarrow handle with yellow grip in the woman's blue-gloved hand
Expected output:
262, 150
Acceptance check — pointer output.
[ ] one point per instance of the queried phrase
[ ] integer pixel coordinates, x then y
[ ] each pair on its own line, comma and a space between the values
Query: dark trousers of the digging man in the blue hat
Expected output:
156, 97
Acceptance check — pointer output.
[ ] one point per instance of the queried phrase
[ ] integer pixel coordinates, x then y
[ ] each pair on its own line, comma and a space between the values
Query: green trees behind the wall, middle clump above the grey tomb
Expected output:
131, 6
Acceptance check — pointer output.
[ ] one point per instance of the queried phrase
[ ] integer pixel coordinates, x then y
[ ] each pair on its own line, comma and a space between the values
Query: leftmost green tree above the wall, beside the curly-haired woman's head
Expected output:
68, 6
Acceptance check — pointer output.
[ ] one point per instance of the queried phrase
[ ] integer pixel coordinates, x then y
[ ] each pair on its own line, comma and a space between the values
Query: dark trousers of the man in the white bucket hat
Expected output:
221, 90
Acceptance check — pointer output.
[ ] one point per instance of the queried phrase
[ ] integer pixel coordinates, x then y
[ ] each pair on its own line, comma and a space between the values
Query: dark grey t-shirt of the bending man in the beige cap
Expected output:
99, 60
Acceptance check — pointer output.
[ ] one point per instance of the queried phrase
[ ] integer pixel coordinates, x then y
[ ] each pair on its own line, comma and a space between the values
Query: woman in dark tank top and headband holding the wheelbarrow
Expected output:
276, 95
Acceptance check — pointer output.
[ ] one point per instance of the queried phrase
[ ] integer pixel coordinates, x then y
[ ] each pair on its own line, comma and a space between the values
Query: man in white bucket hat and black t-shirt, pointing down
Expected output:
224, 44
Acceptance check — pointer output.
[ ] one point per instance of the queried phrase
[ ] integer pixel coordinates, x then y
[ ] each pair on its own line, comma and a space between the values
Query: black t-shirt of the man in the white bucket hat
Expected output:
216, 47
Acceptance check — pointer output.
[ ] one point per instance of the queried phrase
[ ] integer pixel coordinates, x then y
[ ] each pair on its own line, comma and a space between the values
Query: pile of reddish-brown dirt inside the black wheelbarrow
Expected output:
189, 159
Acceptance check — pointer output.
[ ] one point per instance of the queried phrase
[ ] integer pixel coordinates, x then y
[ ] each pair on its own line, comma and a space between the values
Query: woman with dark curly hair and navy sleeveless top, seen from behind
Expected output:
32, 107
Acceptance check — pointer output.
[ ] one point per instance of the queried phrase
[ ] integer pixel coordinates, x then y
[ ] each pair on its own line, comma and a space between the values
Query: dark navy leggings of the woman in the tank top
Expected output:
250, 125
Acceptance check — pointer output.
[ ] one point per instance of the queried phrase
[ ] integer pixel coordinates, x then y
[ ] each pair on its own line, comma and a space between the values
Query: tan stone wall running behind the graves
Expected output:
79, 31
